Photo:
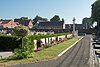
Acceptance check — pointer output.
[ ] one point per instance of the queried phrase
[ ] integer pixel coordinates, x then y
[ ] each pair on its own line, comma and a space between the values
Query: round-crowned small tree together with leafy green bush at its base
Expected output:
26, 48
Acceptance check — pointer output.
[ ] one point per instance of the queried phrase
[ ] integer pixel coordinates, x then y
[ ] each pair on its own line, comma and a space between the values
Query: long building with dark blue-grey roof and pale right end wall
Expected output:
51, 25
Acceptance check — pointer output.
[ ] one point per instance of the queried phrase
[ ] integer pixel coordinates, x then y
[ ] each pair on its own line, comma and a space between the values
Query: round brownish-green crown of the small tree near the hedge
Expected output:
21, 31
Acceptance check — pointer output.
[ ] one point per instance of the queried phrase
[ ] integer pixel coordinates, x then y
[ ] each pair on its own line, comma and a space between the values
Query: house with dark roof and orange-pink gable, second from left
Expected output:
27, 23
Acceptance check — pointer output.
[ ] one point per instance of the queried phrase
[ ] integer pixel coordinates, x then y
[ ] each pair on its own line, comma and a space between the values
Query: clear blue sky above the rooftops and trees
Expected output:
67, 9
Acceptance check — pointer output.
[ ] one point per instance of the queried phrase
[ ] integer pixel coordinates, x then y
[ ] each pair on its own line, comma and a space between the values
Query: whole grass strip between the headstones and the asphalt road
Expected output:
44, 54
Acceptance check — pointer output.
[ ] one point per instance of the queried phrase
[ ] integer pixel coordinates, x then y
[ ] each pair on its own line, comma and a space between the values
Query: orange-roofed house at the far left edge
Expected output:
7, 24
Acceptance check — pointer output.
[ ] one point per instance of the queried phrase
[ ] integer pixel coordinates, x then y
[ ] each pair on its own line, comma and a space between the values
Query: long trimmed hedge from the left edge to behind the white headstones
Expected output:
12, 42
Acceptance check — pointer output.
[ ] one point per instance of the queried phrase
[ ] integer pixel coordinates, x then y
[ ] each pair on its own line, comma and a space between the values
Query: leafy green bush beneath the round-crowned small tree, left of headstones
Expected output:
25, 51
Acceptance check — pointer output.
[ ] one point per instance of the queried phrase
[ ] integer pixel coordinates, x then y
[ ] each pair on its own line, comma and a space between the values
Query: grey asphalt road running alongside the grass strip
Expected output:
77, 56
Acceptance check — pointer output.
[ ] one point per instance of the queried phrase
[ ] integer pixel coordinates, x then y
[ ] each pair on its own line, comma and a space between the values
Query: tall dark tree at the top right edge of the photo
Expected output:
96, 12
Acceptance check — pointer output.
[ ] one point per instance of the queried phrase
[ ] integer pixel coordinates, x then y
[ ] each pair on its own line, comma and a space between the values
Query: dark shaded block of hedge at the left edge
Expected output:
9, 42
